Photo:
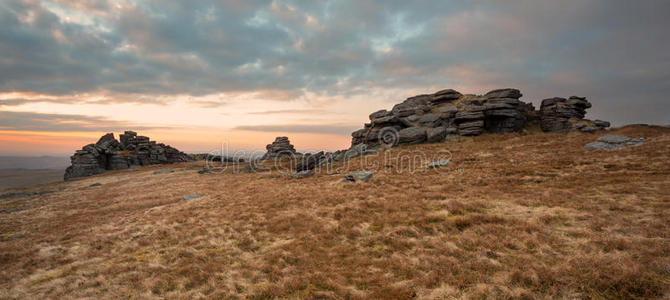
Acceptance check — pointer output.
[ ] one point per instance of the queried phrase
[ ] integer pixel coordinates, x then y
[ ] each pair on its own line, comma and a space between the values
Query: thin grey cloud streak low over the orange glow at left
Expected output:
30, 121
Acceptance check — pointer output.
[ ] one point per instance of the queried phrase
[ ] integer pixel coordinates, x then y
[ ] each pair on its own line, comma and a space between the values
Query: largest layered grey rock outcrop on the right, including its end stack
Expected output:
431, 118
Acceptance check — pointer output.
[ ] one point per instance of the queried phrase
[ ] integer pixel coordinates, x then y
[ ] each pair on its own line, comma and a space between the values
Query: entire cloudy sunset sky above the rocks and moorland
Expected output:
196, 74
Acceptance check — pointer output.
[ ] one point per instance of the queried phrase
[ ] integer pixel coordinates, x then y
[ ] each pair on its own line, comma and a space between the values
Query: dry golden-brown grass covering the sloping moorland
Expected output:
519, 216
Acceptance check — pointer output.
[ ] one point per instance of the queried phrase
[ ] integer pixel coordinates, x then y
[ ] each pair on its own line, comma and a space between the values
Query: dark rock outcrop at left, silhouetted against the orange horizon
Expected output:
110, 154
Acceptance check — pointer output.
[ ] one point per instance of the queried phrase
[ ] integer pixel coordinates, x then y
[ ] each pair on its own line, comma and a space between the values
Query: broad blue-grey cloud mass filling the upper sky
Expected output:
616, 52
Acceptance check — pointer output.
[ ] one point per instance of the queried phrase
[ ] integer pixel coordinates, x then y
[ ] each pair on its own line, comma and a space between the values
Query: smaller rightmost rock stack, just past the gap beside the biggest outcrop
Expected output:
564, 115
